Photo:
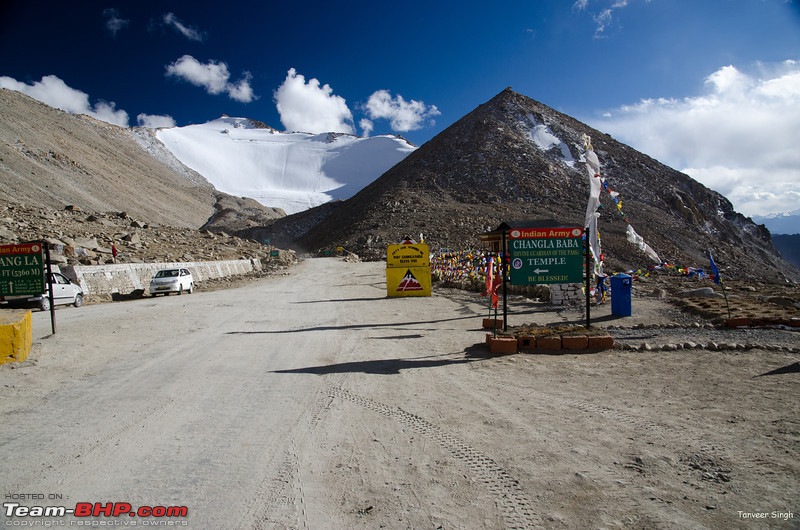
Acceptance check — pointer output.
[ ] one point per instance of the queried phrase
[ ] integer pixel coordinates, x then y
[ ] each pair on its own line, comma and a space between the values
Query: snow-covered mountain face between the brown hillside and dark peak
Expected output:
293, 171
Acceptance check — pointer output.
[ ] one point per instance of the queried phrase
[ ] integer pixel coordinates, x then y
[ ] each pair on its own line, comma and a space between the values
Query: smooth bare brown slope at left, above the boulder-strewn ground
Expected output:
51, 159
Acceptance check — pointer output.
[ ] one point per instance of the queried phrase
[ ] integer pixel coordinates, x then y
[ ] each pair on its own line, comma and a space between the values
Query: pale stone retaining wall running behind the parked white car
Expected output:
126, 278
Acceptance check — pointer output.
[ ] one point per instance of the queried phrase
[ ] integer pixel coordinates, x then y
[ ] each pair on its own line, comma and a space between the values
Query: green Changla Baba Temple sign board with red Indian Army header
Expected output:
546, 255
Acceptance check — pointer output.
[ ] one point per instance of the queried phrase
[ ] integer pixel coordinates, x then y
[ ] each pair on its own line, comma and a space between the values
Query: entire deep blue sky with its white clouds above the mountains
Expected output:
709, 87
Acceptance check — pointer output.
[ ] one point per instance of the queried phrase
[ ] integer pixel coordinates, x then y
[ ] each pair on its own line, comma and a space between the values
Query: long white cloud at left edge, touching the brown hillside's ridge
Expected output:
52, 91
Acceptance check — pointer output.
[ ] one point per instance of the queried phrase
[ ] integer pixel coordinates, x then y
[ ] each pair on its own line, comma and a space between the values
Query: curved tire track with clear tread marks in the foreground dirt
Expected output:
513, 502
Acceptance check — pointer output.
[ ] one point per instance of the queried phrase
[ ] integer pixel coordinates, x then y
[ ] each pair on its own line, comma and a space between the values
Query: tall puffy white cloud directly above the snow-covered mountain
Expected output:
309, 107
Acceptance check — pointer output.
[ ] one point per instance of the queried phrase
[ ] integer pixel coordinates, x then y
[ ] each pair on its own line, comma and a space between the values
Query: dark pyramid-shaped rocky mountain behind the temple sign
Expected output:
514, 158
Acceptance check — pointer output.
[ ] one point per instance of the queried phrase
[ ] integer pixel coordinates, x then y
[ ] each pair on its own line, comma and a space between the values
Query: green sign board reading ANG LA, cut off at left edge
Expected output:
21, 269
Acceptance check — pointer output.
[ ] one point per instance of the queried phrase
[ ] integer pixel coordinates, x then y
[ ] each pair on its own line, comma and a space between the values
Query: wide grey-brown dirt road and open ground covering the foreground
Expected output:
314, 401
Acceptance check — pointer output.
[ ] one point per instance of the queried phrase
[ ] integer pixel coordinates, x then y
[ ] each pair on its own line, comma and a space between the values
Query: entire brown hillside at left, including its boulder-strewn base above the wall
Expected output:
84, 185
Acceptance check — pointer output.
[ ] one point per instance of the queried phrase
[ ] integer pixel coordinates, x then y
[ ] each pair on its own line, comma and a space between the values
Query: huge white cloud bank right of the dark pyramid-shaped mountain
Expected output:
738, 138
